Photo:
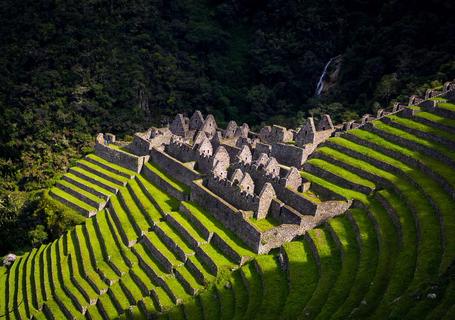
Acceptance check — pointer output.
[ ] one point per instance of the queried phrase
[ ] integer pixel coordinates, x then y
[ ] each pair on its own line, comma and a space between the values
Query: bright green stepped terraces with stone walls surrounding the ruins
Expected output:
151, 251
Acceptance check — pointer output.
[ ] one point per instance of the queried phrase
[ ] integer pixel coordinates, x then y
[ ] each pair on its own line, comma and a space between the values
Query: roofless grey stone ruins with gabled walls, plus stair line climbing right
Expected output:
241, 177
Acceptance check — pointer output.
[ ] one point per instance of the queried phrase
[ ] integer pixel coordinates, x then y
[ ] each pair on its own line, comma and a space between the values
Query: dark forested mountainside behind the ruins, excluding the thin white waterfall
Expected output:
70, 69
